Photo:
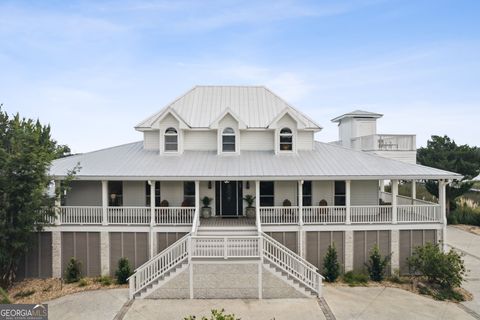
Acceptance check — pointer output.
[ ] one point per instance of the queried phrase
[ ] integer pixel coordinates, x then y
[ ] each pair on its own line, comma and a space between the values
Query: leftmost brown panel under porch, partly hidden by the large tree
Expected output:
37, 262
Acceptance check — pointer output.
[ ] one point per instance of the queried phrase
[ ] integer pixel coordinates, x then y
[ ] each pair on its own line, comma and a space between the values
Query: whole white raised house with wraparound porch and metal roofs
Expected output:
142, 200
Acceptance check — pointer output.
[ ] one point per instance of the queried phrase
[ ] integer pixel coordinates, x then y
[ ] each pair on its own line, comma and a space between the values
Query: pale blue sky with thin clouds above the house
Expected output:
94, 69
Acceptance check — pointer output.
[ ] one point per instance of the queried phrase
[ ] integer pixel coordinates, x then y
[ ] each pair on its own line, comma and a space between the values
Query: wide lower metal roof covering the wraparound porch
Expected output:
325, 162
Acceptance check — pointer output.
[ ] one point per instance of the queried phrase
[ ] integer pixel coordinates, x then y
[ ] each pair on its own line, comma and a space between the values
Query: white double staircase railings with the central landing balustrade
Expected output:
228, 245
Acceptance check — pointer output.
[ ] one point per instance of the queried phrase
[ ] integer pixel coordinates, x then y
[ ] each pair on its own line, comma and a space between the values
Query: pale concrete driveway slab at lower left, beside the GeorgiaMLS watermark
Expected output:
91, 305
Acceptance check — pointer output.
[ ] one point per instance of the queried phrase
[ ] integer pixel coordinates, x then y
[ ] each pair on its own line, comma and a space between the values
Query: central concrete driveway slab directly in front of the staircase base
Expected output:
268, 309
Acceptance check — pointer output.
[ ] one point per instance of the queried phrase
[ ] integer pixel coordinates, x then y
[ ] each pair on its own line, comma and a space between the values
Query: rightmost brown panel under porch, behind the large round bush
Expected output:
409, 240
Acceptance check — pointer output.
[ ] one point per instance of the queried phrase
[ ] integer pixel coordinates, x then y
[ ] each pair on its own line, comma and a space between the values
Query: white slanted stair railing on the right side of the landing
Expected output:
302, 270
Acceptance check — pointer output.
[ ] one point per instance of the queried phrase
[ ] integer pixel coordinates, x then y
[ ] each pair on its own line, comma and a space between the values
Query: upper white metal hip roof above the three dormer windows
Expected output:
256, 106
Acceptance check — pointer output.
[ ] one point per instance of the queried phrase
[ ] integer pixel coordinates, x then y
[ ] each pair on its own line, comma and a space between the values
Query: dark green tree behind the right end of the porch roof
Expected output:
443, 153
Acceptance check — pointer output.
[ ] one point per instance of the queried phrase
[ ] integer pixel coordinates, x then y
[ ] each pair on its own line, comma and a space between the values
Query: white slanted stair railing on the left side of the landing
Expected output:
159, 265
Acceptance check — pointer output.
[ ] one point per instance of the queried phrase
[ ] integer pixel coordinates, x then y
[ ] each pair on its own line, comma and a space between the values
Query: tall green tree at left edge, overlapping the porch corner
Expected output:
26, 152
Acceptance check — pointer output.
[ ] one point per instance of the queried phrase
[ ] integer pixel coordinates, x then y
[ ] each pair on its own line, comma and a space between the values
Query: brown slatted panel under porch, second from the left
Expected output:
85, 247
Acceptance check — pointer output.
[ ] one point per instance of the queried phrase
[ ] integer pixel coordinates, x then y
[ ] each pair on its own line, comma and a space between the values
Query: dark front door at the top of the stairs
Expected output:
229, 198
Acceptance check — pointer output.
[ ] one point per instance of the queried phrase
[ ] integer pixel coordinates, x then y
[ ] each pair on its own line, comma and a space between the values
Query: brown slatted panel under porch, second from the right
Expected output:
363, 242
